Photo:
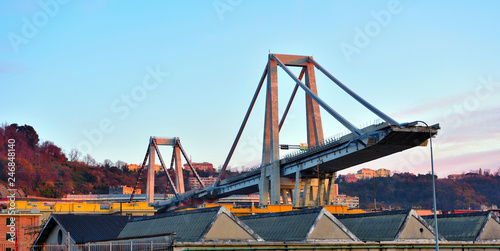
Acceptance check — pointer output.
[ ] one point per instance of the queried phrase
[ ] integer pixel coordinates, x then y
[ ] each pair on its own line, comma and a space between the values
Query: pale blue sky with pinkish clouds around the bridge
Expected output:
103, 76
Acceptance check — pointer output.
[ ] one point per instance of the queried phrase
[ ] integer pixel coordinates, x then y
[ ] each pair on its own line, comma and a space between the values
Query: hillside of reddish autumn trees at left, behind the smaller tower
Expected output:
43, 169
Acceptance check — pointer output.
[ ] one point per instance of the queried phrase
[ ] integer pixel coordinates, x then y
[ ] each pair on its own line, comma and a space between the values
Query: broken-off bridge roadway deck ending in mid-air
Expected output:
333, 155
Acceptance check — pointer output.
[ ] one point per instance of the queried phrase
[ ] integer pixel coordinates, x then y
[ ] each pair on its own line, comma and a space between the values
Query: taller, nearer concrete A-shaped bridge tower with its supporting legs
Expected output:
316, 191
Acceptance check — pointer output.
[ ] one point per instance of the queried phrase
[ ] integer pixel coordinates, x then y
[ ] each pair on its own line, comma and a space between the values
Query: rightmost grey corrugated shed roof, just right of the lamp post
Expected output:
459, 227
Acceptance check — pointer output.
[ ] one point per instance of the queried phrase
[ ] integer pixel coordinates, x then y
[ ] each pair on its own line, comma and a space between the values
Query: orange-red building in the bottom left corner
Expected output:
20, 228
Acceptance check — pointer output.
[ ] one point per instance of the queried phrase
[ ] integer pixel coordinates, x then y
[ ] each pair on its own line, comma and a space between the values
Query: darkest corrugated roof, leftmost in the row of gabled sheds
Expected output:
86, 228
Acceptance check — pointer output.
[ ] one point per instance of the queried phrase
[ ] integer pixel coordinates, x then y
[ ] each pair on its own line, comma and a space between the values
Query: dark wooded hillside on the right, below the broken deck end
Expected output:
406, 191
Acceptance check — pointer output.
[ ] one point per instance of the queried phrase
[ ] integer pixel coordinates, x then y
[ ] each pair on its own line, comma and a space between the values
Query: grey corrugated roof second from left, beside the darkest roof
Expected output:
189, 226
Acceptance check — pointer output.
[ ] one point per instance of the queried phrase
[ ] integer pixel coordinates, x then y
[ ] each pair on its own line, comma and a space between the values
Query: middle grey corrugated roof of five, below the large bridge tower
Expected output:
284, 226
